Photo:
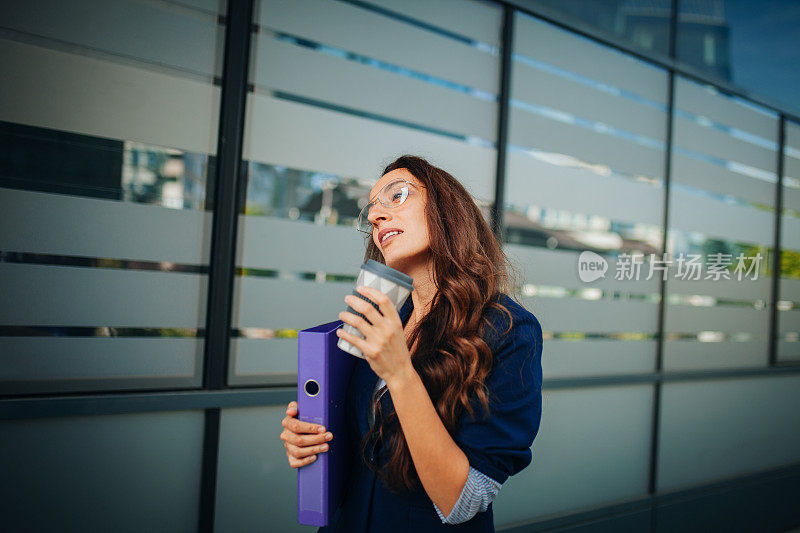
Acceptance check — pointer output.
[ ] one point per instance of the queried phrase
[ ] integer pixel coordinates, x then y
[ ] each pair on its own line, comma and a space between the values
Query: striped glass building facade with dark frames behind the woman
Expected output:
178, 186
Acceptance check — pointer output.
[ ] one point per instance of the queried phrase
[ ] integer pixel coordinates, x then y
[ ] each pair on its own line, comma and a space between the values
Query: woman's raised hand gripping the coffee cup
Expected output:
384, 346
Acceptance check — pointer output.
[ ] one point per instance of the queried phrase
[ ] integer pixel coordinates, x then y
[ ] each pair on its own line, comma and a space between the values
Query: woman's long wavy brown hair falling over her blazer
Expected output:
470, 270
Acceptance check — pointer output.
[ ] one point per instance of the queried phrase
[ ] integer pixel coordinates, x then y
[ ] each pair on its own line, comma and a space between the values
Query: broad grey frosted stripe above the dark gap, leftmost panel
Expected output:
106, 99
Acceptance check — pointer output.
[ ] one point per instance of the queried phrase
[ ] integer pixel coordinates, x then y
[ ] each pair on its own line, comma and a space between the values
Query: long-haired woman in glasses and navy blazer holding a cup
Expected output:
447, 402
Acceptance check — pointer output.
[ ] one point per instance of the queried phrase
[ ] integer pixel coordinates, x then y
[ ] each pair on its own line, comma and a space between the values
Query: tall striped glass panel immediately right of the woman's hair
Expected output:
585, 179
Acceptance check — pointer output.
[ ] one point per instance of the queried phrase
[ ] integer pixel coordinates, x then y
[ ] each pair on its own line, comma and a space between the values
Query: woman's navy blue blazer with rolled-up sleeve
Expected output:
498, 446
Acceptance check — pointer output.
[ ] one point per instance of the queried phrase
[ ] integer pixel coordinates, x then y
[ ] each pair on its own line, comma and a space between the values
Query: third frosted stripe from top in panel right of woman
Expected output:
542, 133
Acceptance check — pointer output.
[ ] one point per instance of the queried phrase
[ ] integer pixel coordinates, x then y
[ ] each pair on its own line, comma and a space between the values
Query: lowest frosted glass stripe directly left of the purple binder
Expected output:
262, 357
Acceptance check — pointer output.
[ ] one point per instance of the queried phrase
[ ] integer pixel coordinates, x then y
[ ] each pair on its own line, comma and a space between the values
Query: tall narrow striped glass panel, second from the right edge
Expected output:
722, 219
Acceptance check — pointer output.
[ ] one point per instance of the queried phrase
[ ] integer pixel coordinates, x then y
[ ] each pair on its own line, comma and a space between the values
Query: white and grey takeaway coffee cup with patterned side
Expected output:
393, 283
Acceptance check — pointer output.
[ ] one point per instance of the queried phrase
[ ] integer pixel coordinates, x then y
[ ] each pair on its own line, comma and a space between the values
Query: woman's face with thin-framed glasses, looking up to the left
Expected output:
413, 244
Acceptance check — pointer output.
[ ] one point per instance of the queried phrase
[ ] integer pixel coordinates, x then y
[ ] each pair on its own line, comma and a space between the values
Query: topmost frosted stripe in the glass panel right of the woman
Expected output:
544, 42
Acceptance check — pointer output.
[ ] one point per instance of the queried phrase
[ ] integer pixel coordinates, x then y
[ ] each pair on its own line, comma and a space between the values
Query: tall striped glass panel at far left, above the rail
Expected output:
107, 146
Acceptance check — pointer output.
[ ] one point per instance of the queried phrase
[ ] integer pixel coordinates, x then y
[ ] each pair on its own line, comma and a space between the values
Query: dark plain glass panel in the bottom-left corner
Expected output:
130, 472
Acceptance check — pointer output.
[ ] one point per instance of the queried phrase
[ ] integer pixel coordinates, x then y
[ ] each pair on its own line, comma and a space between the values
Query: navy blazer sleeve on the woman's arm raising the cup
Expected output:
499, 445
